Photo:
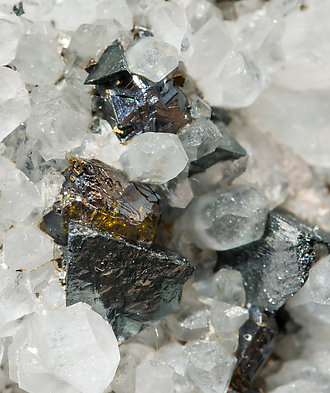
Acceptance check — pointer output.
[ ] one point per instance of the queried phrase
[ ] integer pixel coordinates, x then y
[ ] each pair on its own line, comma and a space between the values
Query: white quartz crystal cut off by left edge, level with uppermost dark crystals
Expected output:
14, 101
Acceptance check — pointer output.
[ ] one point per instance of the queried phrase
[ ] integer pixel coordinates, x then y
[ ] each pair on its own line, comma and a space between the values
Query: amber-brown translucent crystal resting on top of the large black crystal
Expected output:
98, 194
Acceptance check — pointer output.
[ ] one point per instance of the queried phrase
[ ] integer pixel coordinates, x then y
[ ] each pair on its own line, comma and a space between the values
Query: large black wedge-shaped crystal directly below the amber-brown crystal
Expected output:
128, 284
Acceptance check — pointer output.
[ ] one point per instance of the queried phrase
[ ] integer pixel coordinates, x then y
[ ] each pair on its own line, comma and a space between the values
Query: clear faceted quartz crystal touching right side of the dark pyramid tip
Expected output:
152, 58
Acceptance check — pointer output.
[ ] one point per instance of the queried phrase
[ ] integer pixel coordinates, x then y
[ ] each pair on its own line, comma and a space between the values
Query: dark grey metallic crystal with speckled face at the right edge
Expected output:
276, 266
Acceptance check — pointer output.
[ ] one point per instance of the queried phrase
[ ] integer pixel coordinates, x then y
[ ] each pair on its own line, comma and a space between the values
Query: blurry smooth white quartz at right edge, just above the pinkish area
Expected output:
298, 119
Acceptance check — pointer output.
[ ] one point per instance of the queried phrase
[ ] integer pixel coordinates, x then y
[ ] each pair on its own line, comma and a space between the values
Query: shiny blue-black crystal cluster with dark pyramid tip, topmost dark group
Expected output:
133, 104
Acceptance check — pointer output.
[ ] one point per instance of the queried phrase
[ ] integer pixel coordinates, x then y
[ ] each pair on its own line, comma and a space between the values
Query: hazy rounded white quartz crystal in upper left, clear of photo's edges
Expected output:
38, 60
